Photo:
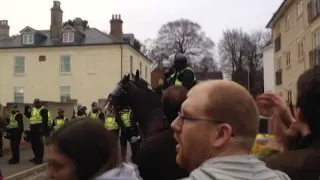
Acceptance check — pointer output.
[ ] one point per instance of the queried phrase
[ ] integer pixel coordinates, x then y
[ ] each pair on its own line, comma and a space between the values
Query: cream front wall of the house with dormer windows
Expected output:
95, 71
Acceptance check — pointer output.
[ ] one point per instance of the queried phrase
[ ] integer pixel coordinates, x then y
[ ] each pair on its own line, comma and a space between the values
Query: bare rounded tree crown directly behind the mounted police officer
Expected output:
181, 36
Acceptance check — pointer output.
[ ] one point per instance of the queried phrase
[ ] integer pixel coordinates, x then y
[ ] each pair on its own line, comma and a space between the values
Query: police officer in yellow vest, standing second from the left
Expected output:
38, 124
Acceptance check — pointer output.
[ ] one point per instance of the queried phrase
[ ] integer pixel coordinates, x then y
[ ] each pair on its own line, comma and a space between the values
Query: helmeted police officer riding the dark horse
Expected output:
183, 75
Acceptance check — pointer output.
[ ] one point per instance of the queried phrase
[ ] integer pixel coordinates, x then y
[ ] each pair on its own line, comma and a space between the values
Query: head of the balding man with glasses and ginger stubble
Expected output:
218, 118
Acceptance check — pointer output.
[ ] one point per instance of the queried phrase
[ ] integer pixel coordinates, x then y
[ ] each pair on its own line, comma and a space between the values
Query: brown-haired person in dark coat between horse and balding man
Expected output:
157, 155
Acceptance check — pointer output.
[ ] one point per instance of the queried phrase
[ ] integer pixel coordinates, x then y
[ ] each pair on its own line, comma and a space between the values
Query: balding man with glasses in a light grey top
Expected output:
215, 131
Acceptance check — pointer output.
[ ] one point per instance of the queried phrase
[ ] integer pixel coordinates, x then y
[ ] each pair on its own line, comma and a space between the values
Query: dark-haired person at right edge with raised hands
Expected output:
299, 135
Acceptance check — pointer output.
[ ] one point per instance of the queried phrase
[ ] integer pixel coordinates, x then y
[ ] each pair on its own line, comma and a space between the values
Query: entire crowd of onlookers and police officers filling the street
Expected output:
212, 127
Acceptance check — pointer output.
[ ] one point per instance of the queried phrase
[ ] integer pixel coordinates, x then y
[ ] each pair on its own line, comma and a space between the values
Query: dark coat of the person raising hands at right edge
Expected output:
301, 163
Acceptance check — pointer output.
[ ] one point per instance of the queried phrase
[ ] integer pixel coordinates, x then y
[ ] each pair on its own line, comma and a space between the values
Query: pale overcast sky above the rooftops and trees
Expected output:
144, 17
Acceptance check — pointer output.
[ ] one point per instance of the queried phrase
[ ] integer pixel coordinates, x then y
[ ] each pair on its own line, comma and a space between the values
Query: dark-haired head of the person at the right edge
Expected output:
308, 100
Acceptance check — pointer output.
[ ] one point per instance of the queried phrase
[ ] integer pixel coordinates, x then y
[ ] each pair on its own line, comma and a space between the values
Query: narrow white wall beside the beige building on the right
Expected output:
268, 68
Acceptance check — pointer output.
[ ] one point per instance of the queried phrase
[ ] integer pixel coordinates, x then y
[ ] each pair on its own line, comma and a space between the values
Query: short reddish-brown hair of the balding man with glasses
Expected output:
231, 103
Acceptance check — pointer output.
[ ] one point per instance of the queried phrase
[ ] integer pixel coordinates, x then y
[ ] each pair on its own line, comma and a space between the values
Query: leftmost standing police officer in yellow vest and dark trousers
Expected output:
16, 129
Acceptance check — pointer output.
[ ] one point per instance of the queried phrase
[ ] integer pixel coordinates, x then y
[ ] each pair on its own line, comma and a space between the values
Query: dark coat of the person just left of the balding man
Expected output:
156, 159
